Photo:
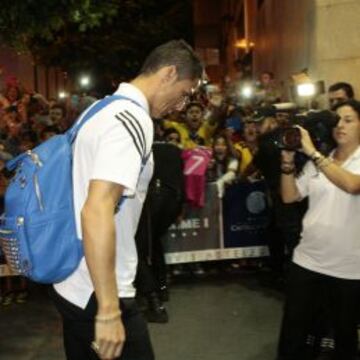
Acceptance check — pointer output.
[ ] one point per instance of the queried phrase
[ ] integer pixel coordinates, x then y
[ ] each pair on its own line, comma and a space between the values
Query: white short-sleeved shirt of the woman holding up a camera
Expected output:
330, 241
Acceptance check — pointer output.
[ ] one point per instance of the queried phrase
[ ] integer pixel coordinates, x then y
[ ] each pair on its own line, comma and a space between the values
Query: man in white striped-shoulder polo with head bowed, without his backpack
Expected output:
112, 161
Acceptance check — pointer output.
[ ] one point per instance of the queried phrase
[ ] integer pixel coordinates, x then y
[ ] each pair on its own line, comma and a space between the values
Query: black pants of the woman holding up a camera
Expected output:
307, 294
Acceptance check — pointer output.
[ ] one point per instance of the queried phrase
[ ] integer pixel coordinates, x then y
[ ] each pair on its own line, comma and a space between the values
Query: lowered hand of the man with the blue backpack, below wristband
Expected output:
110, 338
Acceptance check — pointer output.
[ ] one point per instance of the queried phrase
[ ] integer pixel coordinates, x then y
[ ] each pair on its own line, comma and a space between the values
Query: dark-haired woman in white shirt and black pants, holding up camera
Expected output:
326, 263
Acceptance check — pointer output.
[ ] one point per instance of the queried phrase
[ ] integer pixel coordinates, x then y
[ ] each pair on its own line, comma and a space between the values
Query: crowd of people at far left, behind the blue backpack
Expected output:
26, 120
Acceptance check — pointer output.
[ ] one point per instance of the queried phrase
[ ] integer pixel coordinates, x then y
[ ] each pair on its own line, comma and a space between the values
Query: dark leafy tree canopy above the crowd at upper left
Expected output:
109, 38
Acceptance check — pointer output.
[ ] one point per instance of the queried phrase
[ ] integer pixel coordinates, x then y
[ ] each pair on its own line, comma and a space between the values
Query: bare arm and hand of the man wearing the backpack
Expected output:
97, 219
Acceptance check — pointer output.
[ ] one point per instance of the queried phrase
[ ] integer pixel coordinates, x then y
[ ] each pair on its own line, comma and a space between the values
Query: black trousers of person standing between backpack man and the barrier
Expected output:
160, 211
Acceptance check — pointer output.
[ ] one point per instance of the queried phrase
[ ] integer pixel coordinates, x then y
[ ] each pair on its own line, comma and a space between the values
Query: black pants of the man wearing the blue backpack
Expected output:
78, 330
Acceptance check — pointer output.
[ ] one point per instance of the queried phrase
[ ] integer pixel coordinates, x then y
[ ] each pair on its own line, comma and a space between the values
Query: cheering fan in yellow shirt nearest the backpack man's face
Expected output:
196, 130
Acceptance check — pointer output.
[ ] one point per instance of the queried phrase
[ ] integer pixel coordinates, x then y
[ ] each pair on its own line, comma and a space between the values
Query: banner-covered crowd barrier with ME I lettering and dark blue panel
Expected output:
223, 229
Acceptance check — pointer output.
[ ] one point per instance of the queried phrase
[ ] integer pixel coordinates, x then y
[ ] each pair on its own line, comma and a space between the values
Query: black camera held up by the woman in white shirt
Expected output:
319, 124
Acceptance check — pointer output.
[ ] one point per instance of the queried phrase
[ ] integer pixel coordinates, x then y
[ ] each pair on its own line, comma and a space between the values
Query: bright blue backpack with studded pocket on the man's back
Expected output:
38, 230
